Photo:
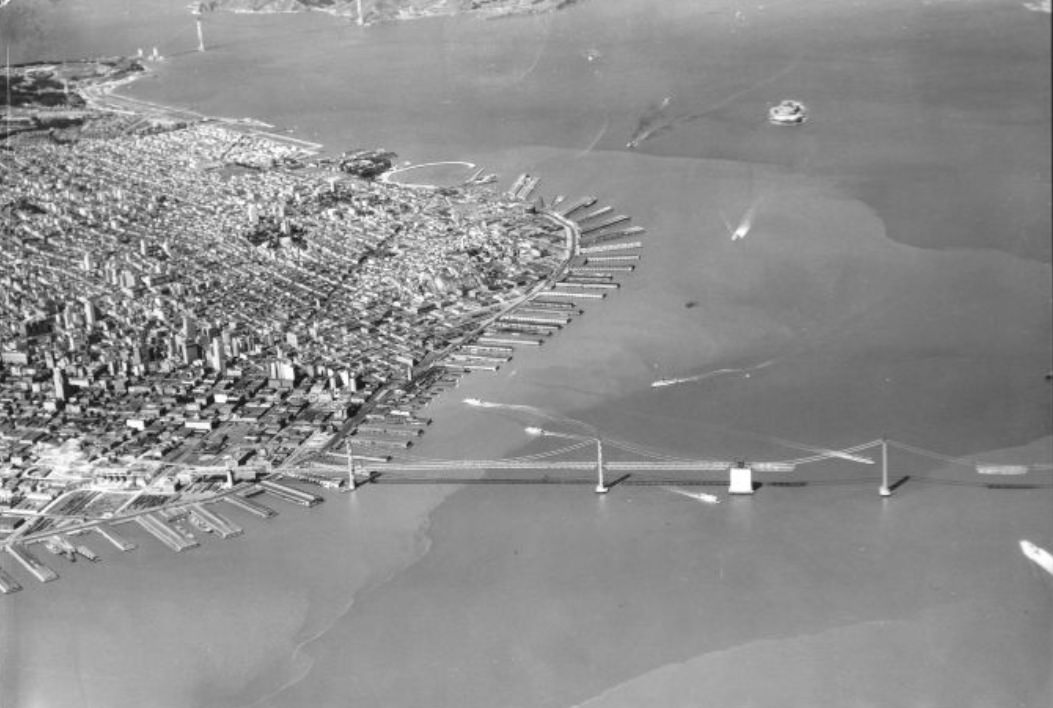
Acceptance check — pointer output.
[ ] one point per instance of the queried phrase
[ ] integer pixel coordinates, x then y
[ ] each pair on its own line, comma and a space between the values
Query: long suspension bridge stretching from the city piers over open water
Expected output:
565, 465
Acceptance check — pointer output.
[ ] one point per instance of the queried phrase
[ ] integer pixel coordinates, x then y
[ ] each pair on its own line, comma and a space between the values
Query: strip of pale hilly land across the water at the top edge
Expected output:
380, 11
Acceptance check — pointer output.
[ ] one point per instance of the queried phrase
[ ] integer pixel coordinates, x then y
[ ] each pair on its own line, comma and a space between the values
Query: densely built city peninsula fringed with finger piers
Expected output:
194, 311
